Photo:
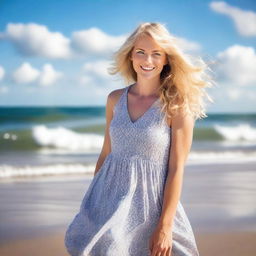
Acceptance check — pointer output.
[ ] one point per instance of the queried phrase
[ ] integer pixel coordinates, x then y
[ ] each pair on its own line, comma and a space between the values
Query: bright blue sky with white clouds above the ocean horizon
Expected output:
56, 53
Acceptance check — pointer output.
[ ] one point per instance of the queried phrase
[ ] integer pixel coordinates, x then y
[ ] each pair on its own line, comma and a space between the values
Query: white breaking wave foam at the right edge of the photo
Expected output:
235, 133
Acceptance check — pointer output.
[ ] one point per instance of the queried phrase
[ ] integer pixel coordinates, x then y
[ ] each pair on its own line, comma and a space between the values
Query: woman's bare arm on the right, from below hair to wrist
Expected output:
181, 141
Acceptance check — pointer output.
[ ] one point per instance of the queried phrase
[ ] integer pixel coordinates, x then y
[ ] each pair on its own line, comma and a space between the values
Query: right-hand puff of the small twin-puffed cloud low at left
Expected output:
49, 76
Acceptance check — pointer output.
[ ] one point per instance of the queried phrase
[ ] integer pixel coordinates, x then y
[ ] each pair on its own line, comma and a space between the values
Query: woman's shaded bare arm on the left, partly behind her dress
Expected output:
106, 148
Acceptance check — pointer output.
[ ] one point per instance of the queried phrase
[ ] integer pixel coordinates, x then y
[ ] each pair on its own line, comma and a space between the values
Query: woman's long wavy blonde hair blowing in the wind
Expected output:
182, 82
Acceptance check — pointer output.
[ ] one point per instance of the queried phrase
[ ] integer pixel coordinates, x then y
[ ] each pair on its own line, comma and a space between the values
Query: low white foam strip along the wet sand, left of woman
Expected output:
7, 171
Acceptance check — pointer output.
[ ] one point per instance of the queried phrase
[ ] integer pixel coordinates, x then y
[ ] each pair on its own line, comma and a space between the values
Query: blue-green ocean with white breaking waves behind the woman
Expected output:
50, 141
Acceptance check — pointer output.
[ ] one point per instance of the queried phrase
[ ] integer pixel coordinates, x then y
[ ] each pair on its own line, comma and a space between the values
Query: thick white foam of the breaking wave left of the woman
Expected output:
63, 138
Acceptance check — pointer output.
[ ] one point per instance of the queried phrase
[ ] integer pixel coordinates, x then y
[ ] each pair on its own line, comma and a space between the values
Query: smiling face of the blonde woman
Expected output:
148, 58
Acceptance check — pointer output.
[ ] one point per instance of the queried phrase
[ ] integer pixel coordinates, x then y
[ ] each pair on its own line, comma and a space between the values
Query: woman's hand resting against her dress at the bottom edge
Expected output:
160, 242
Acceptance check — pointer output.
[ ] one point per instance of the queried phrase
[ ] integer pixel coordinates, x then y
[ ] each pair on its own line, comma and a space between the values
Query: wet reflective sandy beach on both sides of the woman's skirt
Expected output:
220, 205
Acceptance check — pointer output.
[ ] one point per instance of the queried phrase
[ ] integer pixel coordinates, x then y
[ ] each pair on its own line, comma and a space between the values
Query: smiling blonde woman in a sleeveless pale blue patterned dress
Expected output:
132, 205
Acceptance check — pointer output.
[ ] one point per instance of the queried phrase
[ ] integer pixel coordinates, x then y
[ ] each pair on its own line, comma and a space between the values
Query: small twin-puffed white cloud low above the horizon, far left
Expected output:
27, 74
